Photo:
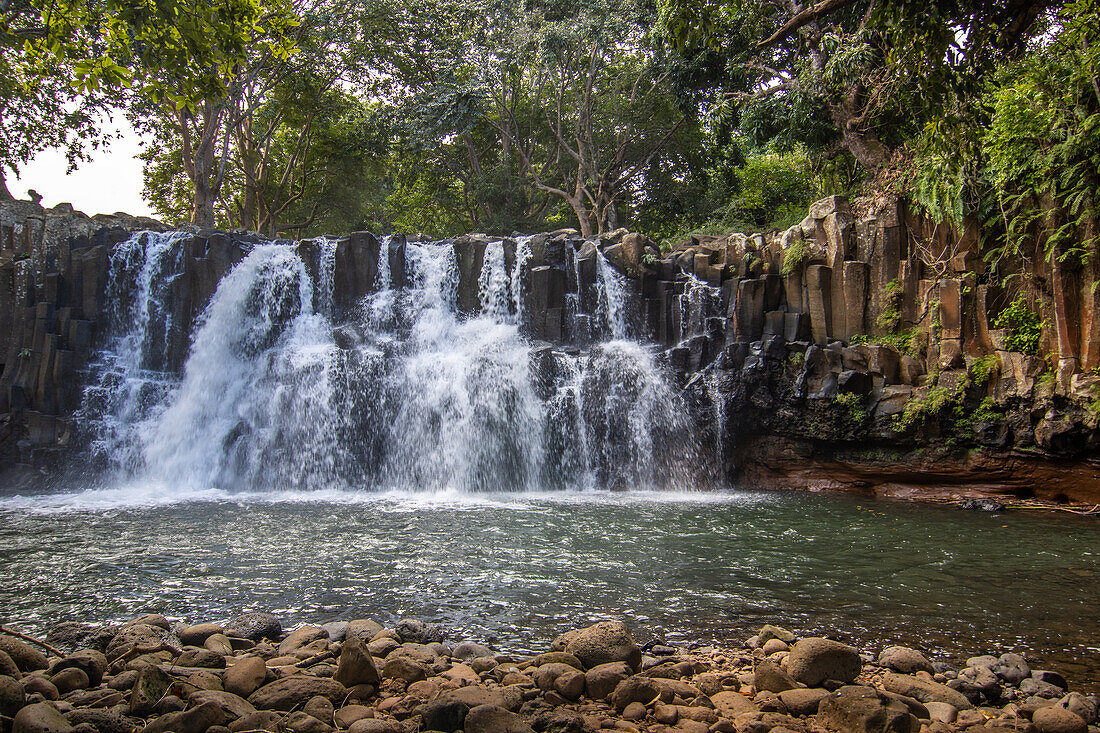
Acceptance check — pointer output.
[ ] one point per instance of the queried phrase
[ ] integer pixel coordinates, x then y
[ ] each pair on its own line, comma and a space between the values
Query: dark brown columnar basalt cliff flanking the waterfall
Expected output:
853, 352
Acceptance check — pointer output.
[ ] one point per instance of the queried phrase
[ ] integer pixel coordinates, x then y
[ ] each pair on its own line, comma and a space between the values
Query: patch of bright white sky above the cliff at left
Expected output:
111, 182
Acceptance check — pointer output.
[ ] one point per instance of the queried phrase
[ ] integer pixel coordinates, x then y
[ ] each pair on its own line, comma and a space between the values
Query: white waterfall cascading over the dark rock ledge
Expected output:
406, 396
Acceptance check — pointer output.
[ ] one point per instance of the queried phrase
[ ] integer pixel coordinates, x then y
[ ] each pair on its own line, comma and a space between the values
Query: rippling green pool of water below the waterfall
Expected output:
518, 570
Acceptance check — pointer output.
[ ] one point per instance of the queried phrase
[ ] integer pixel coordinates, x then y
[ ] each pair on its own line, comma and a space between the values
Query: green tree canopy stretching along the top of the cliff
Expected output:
447, 116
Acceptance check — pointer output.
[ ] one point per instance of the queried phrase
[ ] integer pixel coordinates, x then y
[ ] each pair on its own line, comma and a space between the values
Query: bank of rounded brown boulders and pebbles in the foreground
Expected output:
249, 675
